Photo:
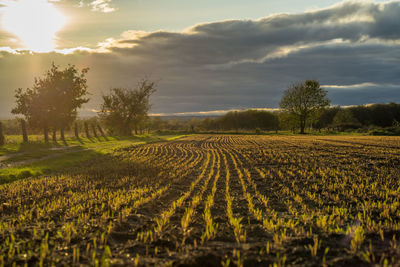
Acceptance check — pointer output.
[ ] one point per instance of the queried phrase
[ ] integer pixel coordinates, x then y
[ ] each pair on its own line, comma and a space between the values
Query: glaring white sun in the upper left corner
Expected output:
34, 22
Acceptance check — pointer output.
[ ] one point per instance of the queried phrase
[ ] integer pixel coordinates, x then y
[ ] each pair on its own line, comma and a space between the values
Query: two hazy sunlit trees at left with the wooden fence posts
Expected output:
52, 104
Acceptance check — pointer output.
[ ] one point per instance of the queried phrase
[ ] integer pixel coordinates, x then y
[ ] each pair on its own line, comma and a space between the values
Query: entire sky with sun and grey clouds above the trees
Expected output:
206, 56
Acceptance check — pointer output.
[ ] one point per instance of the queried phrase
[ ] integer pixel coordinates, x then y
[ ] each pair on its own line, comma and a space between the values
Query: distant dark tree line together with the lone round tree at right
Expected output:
304, 105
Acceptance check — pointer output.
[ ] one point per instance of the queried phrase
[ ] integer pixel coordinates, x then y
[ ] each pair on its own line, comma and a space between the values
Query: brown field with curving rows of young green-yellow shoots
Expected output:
213, 200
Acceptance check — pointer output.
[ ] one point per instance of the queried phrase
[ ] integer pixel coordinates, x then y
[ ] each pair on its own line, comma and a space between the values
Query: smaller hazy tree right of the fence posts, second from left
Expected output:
124, 110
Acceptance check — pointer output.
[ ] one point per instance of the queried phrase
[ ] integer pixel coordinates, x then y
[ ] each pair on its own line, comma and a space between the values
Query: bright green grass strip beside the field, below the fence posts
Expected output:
79, 151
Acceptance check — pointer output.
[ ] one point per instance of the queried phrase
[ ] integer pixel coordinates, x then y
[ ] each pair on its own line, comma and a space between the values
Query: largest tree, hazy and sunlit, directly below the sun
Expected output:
53, 100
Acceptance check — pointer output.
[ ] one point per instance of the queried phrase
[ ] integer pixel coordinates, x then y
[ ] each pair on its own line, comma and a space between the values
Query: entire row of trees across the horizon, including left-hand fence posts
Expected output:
52, 104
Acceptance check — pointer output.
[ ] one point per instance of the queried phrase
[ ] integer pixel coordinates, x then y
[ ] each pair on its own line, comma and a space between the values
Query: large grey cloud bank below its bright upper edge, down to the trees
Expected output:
241, 64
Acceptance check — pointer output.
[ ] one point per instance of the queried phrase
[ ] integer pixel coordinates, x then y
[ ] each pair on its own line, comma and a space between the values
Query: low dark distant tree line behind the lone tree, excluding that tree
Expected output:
334, 119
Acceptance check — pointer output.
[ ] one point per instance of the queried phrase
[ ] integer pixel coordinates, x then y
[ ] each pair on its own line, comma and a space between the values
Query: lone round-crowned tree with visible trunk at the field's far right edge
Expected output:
303, 100
